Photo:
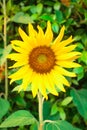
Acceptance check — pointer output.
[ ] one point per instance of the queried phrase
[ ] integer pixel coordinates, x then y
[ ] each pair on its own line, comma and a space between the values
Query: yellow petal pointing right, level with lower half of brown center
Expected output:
68, 64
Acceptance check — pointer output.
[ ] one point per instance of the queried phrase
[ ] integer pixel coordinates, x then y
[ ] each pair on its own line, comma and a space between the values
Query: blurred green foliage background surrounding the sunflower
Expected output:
70, 106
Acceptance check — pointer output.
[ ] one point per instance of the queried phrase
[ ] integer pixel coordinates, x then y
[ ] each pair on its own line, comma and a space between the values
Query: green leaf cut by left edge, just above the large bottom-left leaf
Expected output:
4, 107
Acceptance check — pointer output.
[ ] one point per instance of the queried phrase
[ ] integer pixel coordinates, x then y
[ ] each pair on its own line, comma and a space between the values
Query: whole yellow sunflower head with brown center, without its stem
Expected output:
42, 61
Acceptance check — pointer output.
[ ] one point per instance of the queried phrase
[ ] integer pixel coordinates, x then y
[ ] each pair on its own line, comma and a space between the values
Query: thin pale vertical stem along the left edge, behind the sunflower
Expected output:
5, 44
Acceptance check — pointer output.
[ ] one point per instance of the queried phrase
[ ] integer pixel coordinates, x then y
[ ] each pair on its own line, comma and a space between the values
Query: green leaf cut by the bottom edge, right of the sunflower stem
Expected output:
59, 125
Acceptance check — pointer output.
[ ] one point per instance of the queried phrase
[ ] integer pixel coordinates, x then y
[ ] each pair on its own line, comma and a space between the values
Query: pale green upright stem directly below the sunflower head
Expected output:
40, 99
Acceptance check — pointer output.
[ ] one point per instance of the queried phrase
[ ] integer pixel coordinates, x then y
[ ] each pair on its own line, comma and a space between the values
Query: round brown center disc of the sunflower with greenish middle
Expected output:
42, 59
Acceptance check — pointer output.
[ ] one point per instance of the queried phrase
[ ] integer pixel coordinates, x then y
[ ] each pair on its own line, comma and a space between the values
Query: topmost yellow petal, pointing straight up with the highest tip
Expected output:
48, 34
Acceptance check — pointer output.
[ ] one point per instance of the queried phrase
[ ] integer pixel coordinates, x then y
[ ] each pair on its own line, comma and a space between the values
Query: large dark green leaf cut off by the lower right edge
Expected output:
80, 101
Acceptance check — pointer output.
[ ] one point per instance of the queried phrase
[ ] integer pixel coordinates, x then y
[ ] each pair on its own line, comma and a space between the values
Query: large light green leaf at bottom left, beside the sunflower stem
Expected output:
19, 118
